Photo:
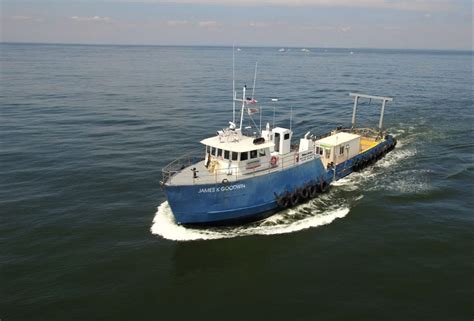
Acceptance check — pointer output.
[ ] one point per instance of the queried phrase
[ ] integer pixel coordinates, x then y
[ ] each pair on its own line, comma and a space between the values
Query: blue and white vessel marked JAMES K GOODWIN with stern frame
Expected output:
241, 176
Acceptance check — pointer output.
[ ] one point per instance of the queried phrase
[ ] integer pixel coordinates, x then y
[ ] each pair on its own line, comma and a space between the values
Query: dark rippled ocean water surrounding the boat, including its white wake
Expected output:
86, 232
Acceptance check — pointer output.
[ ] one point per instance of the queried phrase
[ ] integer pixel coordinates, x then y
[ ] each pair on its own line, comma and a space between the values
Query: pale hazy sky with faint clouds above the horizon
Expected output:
415, 24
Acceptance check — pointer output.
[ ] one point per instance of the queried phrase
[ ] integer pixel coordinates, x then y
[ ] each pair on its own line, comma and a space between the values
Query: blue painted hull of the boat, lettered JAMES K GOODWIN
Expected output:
255, 197
